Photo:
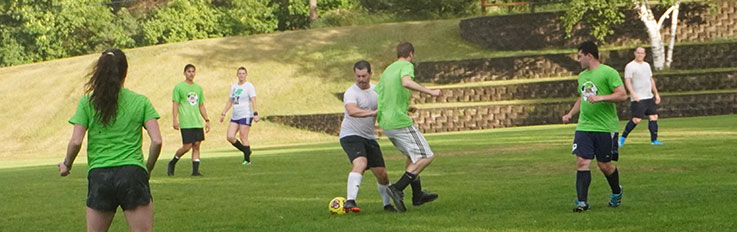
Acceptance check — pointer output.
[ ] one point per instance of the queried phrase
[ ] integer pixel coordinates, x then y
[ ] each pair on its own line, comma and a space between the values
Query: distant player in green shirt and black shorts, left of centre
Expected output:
188, 112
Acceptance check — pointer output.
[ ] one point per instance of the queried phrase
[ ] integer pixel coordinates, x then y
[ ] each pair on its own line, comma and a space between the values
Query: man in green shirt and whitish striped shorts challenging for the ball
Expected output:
393, 91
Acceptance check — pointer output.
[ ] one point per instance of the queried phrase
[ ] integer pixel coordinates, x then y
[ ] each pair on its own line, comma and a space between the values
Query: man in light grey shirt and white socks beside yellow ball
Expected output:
357, 137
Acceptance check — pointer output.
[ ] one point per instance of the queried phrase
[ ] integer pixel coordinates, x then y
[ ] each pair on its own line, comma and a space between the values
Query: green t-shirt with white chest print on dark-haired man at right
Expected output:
601, 116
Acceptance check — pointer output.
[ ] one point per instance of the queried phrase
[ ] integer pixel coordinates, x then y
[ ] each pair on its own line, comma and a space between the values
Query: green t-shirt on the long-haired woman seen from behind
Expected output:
119, 143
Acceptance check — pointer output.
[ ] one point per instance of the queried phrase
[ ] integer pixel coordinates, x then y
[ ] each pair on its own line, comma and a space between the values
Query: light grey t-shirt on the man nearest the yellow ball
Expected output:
364, 99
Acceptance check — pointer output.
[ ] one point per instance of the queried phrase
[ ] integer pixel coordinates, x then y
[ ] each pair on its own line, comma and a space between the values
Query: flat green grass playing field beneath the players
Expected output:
515, 179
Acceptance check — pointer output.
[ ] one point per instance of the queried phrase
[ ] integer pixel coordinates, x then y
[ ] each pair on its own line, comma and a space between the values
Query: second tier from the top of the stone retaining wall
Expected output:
698, 56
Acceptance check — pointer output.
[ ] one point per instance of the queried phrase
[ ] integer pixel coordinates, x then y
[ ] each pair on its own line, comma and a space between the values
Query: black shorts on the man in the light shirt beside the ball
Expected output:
355, 146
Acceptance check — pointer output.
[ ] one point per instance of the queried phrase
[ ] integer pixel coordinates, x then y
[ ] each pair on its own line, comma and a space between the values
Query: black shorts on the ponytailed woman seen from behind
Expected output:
124, 186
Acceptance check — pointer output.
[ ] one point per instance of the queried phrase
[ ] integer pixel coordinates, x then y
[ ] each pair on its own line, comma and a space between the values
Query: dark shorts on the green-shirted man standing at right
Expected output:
603, 145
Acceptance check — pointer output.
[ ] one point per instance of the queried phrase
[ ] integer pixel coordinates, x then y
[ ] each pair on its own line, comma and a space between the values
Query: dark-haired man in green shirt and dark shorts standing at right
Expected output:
596, 133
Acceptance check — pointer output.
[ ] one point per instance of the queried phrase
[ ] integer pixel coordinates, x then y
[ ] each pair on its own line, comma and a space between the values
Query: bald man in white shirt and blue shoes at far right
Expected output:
638, 78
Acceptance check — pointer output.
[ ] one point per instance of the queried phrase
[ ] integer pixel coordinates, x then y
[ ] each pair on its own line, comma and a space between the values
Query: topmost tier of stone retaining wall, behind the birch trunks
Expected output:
697, 23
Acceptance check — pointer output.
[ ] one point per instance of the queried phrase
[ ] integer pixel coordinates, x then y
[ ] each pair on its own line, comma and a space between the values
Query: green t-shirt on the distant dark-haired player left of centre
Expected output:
189, 98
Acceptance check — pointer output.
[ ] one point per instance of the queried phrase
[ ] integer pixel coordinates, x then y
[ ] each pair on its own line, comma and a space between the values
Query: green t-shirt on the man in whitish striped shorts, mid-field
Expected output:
393, 101
